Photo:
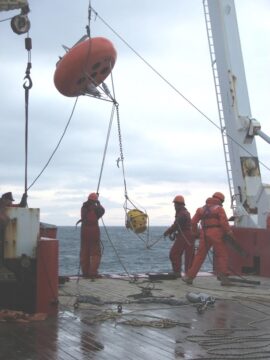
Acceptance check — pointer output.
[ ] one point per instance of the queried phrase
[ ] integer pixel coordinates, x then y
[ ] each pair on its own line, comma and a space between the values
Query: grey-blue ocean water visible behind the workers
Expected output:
124, 252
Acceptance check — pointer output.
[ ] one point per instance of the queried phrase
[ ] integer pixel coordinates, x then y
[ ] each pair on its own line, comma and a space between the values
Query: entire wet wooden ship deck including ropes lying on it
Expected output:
122, 318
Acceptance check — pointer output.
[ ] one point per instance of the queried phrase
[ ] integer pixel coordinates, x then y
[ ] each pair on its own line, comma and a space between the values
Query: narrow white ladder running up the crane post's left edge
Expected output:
219, 104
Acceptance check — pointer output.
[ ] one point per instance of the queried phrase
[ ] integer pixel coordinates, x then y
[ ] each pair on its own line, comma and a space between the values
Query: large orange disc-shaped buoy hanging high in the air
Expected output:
84, 66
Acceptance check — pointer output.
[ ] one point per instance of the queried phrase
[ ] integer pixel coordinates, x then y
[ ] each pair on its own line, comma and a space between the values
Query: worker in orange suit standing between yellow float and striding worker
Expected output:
180, 233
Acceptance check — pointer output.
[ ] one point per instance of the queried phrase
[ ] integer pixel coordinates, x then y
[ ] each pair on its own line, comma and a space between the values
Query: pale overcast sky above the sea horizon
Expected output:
169, 147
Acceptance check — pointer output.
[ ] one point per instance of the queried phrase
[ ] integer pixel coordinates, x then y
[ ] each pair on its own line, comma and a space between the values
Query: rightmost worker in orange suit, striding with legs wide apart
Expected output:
214, 225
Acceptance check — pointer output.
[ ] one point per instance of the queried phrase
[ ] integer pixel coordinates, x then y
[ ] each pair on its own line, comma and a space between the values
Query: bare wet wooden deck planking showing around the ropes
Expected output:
74, 335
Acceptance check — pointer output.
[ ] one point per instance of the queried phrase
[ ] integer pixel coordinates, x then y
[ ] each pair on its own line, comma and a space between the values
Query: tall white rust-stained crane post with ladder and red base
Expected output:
250, 197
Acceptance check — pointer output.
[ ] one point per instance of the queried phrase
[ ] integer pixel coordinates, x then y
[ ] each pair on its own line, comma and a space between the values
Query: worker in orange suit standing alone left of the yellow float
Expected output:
90, 254
